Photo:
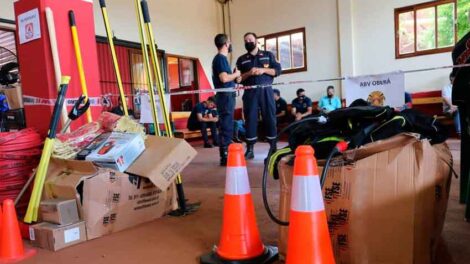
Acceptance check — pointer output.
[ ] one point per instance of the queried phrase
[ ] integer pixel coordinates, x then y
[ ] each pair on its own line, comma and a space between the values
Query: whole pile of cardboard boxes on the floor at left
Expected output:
85, 200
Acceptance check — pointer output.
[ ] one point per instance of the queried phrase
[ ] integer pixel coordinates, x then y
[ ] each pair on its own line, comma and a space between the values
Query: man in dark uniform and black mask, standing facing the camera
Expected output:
258, 68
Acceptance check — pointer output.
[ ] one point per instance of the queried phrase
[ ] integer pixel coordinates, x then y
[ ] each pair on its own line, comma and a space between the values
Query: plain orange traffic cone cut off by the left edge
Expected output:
11, 245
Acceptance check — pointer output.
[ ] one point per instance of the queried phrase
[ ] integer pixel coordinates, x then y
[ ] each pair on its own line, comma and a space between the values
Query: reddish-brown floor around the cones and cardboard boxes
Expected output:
182, 240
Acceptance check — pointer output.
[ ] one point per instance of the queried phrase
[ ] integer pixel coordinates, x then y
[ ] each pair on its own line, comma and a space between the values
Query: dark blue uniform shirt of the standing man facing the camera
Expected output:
263, 59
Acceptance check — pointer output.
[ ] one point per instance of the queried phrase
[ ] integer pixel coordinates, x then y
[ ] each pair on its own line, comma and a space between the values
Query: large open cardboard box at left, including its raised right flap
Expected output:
111, 201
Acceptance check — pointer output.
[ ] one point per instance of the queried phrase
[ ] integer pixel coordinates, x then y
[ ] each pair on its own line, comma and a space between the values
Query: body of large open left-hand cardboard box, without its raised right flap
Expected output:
109, 201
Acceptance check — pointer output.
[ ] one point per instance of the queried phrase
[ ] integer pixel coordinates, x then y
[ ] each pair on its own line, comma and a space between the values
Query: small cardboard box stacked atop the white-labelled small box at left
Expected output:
59, 211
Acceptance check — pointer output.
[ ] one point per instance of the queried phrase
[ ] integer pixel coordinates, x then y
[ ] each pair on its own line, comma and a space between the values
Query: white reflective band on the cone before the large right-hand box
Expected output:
306, 194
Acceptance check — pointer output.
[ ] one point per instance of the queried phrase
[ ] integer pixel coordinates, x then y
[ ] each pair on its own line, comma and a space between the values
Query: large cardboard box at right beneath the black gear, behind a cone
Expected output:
385, 202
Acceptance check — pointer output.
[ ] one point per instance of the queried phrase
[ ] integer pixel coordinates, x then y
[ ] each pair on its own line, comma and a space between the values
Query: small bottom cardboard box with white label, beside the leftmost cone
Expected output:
55, 237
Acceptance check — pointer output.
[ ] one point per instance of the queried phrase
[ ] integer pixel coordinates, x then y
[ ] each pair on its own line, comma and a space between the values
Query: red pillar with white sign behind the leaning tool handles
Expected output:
35, 56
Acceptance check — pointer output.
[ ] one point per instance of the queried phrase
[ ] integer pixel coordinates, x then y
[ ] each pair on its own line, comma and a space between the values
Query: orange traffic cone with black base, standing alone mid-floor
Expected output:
240, 240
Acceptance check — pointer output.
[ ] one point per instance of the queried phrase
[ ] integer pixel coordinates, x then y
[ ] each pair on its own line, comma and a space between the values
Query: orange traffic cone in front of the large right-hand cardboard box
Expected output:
309, 240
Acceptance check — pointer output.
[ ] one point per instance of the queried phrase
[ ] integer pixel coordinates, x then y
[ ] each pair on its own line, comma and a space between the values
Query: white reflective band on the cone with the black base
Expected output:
236, 181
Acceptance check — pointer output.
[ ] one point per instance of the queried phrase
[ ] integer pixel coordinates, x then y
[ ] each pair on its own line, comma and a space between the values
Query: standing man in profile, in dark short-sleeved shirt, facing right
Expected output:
222, 77
